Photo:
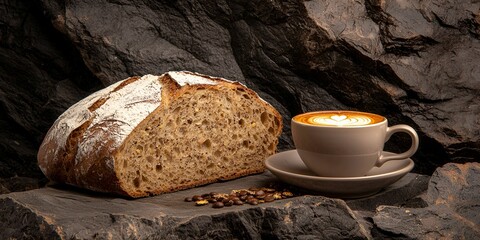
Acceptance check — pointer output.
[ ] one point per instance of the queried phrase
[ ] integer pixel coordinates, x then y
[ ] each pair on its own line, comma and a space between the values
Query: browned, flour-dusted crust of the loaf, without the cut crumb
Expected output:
82, 146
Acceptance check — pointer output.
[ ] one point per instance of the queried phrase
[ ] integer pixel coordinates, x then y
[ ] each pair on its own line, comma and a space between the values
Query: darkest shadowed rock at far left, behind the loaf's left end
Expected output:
41, 74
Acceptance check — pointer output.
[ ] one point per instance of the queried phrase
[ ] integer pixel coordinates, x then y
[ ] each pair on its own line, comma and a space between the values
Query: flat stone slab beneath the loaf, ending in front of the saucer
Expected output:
58, 212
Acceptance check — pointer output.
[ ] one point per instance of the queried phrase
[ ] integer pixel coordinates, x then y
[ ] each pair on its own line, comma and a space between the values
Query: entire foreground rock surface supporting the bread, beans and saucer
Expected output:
407, 209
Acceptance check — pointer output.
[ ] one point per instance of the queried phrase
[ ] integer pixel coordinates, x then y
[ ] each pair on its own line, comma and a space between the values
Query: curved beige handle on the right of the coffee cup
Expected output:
399, 156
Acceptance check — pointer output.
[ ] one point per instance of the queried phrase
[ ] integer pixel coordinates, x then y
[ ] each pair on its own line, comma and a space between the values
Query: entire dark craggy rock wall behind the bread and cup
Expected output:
416, 62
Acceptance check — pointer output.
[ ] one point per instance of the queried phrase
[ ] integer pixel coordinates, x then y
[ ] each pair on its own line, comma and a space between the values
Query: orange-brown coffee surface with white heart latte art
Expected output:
339, 118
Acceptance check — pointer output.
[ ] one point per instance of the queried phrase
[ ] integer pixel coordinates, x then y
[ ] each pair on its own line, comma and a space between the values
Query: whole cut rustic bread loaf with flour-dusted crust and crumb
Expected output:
156, 134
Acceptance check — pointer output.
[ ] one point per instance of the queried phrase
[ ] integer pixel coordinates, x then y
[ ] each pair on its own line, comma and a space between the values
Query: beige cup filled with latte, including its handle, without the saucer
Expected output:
346, 143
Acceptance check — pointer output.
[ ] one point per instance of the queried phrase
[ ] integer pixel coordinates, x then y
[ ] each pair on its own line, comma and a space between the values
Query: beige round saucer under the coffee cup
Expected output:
288, 167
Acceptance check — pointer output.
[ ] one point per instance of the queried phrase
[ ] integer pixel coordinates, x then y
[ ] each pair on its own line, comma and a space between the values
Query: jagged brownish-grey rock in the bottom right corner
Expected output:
452, 208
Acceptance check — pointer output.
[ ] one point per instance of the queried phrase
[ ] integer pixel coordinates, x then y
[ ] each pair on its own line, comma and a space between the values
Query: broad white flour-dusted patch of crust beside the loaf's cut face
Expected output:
118, 116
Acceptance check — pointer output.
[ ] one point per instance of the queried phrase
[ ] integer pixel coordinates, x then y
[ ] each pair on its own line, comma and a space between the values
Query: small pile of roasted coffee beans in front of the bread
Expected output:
252, 196
